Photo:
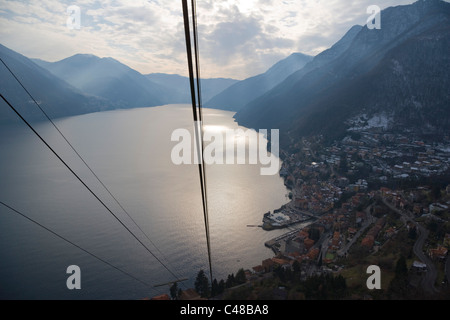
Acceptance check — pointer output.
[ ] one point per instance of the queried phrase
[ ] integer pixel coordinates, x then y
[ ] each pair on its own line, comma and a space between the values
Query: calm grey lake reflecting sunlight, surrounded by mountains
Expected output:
130, 150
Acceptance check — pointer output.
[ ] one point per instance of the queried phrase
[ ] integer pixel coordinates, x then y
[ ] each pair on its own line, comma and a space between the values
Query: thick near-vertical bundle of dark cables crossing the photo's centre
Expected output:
197, 134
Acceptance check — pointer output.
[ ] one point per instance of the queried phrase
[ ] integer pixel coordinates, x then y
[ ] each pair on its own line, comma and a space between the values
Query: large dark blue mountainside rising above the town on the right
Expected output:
399, 73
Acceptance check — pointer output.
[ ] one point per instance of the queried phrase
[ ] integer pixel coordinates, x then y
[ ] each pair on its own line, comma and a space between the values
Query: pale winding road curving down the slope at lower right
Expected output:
429, 279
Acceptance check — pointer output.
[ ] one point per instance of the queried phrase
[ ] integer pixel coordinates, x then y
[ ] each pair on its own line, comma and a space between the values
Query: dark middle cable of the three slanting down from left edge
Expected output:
86, 186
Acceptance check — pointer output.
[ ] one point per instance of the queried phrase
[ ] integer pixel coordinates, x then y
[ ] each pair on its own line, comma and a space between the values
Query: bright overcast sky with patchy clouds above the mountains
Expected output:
238, 38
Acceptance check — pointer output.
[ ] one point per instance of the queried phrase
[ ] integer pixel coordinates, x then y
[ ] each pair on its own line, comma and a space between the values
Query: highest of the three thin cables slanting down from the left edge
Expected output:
82, 159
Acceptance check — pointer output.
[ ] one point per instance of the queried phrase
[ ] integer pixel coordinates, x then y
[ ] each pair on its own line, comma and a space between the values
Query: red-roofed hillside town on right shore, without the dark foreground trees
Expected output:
362, 196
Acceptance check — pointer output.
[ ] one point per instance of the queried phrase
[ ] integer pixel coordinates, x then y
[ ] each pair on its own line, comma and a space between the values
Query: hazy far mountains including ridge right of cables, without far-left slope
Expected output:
109, 79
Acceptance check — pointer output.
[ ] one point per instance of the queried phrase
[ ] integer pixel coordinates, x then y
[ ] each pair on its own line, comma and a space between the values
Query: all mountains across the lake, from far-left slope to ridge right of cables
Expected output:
86, 83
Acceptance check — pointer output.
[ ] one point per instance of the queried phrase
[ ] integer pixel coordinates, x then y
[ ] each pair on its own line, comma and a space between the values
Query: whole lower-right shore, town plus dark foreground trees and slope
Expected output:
373, 198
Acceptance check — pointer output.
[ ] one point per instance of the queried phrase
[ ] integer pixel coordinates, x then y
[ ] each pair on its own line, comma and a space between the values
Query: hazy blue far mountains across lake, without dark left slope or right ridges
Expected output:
110, 79
